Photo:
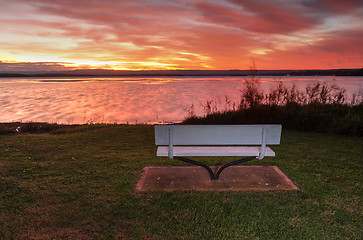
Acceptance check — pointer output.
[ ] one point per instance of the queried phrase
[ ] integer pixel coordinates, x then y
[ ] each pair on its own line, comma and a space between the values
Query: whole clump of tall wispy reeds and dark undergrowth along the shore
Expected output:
319, 107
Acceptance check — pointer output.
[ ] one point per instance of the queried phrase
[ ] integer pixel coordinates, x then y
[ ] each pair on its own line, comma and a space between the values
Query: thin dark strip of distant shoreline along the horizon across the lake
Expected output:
184, 73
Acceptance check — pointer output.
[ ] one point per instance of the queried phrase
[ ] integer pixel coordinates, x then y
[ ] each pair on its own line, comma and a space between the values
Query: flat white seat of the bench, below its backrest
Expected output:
213, 151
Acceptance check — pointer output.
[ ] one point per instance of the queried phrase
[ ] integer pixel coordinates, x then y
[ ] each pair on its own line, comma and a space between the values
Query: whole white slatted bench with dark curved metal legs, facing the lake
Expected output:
248, 141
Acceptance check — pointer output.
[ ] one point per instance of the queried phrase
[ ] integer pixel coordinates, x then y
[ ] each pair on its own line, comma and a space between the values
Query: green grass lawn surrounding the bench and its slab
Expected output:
80, 184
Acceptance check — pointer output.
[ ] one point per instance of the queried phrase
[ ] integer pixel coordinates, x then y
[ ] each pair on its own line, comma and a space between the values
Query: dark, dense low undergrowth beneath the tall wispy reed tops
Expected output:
317, 117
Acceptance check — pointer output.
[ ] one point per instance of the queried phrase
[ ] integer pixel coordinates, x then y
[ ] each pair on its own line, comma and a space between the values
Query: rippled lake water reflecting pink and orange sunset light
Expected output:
130, 99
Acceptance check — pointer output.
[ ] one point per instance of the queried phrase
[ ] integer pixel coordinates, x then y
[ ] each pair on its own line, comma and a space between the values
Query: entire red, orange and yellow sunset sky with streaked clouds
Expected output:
54, 35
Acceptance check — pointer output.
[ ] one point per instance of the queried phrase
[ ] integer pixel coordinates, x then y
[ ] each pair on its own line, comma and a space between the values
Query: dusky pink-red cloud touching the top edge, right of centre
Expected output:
259, 16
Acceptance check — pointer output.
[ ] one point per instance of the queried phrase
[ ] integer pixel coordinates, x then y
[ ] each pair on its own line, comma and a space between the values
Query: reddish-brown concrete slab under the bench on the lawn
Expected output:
195, 178
